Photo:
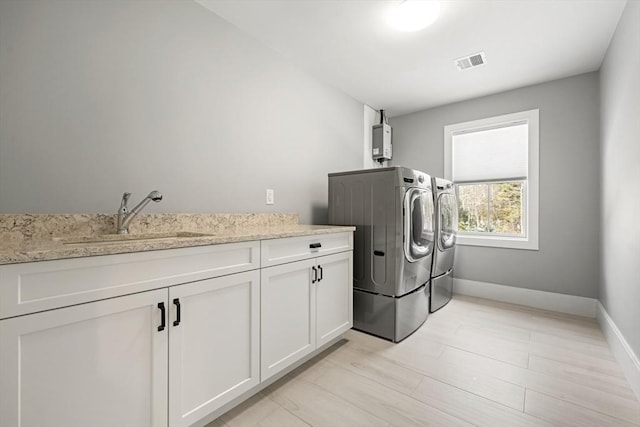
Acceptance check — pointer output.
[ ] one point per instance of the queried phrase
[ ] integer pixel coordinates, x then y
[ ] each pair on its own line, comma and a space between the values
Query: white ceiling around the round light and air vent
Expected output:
348, 44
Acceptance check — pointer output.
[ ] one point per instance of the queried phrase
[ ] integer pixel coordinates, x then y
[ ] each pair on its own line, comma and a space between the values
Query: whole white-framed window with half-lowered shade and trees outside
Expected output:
494, 165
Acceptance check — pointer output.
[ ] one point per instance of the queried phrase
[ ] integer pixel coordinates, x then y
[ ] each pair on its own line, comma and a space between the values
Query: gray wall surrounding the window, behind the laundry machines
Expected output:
568, 259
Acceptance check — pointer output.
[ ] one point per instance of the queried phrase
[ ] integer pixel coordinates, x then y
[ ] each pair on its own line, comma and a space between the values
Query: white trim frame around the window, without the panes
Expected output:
531, 204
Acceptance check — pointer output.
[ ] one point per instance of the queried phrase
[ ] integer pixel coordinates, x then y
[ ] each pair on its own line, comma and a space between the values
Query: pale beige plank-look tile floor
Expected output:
474, 363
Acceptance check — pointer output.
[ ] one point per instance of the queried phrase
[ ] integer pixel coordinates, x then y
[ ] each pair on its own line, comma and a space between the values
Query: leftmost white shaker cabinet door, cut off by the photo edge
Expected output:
97, 364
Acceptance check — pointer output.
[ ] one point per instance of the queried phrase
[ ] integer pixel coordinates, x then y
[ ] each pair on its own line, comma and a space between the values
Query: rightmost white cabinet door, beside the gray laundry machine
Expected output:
334, 296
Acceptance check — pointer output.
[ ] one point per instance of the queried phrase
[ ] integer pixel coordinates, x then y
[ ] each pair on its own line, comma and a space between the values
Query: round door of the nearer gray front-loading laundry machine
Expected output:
418, 224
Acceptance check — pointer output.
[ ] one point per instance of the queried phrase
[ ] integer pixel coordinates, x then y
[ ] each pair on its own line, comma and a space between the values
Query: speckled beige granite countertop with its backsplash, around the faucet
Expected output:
41, 237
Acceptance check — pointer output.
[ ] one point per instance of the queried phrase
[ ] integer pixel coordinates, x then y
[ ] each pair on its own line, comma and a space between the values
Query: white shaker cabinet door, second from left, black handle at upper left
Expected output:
214, 345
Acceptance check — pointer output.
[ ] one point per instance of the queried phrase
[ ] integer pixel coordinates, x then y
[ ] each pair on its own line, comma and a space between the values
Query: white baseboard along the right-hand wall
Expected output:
621, 350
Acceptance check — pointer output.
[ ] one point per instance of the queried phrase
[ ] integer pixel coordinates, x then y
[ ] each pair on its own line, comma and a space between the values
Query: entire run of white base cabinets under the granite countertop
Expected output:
164, 338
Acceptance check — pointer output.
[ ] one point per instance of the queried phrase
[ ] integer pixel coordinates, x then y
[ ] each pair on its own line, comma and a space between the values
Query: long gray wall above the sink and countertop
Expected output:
102, 97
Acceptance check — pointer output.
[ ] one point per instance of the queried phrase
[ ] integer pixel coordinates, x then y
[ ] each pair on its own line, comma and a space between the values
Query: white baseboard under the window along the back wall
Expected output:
580, 306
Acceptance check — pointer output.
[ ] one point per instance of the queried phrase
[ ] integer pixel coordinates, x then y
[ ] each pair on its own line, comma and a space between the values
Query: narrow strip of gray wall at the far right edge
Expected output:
620, 95
